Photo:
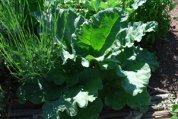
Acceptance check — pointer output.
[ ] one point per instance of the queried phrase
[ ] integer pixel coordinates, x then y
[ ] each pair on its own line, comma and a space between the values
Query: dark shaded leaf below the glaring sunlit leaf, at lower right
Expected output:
118, 99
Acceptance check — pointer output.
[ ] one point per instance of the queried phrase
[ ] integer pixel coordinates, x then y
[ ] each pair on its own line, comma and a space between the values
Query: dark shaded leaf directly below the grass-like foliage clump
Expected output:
42, 91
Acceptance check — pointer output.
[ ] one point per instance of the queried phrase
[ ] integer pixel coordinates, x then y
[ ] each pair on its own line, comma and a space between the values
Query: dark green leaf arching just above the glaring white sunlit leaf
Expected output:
126, 57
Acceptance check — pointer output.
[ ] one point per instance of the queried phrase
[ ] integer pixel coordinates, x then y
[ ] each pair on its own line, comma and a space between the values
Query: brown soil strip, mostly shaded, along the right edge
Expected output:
166, 76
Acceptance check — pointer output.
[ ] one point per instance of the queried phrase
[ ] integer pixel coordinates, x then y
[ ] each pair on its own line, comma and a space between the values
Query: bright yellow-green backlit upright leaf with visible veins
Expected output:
94, 33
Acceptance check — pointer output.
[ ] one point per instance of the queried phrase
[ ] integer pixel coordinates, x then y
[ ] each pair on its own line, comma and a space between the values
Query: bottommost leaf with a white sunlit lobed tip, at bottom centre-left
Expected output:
53, 109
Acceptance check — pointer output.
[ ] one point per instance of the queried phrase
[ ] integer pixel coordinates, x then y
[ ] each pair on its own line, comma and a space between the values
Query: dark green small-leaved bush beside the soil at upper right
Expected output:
156, 10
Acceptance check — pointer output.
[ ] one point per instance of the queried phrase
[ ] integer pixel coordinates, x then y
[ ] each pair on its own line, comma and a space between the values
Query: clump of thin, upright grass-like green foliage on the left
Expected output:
26, 53
